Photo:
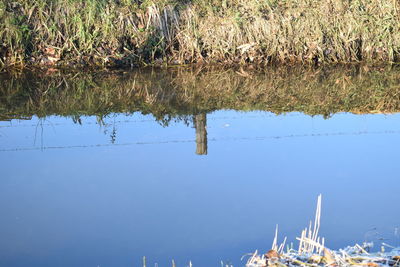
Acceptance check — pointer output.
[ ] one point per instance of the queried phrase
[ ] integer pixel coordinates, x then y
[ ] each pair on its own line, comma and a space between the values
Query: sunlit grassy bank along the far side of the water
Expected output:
132, 32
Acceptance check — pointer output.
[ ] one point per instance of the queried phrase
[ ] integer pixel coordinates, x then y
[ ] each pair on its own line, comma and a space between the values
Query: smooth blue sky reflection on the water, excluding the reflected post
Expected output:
150, 194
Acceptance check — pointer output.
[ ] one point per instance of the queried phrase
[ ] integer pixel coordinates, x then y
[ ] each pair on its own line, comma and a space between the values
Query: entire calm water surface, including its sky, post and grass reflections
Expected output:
88, 184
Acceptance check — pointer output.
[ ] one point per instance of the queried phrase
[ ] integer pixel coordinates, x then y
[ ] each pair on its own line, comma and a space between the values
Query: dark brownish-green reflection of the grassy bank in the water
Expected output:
178, 92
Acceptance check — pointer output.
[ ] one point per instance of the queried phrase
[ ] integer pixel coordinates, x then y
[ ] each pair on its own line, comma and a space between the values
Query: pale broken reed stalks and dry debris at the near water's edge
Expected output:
312, 252
